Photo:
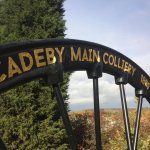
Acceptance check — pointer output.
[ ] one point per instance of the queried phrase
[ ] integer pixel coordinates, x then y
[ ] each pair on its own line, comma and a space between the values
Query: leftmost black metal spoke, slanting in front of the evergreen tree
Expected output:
65, 118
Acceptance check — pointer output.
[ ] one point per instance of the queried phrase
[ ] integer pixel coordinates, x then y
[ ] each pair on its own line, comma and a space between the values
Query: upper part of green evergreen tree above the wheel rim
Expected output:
31, 19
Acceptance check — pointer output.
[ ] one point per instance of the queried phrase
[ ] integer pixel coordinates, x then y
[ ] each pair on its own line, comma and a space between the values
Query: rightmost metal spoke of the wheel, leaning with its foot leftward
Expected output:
137, 123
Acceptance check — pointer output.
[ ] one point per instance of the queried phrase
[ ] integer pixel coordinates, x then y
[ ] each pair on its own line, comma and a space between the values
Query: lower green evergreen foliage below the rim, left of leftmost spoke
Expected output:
30, 119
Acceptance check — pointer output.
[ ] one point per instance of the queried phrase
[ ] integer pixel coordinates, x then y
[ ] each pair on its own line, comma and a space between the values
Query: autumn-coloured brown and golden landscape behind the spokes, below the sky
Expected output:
112, 128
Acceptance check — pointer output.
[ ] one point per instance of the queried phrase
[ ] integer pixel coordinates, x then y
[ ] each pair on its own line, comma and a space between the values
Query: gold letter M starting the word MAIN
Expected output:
76, 56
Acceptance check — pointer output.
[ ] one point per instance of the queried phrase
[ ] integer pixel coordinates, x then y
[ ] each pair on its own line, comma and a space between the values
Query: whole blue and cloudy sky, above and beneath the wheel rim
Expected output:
123, 25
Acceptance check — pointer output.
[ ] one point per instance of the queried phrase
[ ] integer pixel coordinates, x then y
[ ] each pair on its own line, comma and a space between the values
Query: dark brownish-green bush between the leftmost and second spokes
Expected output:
84, 130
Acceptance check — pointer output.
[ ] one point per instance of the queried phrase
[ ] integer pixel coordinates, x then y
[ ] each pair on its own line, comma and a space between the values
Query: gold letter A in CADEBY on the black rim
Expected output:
13, 68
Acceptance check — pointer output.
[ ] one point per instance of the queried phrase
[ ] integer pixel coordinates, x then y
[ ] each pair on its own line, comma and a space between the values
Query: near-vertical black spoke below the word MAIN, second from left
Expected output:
97, 114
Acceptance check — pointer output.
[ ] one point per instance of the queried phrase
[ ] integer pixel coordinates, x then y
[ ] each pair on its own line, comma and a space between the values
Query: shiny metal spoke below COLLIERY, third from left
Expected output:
125, 115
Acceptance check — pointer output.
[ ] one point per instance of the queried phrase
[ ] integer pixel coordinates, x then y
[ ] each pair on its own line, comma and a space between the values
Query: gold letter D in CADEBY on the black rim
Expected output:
22, 57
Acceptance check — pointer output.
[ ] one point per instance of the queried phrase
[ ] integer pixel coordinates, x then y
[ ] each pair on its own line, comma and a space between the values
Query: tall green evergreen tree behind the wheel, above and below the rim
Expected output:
29, 114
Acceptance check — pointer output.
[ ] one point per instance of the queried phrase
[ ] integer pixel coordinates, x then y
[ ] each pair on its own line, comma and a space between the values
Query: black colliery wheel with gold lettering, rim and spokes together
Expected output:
49, 58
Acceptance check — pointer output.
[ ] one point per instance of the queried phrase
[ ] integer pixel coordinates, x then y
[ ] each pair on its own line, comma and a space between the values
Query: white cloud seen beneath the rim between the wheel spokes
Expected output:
81, 91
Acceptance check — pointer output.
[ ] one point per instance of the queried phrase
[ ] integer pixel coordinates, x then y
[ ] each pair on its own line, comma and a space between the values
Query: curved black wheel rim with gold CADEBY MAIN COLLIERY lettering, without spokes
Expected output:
23, 61
